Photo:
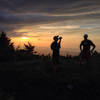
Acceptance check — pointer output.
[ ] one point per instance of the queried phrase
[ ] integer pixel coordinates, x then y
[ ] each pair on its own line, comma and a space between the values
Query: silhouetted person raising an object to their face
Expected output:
55, 47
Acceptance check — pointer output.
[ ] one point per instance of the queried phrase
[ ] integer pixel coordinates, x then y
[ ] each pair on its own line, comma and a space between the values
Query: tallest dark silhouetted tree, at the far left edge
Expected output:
6, 47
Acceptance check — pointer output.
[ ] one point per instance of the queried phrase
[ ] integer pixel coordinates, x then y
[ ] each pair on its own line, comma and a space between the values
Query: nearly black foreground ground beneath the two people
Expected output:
33, 80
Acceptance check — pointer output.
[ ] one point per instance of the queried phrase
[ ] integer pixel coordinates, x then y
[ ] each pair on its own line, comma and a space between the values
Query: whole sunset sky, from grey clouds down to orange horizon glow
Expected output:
37, 21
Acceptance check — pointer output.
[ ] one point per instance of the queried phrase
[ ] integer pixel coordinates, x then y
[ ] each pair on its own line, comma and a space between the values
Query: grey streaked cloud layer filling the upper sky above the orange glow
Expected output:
15, 14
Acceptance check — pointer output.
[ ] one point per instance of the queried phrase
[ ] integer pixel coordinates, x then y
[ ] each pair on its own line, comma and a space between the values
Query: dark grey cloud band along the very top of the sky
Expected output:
48, 6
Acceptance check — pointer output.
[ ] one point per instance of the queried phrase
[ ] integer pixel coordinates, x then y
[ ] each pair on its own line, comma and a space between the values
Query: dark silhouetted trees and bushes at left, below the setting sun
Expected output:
8, 52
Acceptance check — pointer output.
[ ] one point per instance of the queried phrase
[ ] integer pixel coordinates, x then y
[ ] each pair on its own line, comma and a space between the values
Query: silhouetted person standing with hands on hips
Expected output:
86, 49
